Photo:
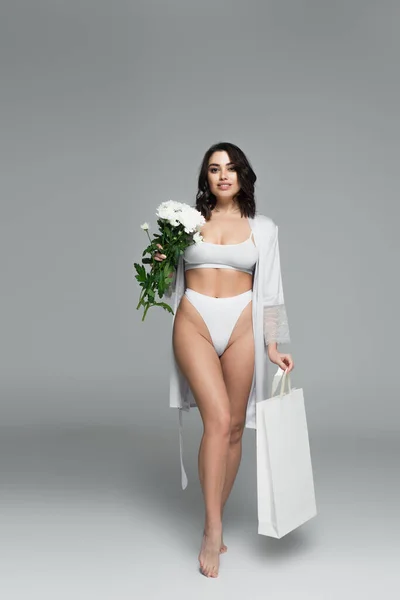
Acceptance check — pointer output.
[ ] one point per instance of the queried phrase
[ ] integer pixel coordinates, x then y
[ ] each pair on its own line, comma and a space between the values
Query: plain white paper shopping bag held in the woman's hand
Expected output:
285, 484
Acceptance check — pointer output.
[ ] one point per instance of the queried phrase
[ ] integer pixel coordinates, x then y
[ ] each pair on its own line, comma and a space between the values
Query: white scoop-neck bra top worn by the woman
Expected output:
241, 257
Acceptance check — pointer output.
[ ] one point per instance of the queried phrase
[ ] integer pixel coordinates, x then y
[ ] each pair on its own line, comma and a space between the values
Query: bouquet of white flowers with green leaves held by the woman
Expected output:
179, 226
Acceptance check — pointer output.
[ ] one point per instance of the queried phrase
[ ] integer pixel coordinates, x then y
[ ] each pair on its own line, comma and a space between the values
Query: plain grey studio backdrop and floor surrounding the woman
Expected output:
106, 110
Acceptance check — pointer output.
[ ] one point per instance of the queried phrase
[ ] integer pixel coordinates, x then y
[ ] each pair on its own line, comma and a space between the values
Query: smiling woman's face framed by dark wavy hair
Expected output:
222, 176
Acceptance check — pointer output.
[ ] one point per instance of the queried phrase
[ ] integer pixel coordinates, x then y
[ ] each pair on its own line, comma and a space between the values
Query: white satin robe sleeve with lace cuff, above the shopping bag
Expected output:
275, 322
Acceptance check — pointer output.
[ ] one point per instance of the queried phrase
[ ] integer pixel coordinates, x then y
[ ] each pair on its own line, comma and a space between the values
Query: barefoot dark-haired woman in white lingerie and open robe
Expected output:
228, 296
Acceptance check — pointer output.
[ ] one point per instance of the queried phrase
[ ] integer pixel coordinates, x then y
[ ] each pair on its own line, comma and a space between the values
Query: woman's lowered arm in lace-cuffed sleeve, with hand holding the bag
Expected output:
276, 326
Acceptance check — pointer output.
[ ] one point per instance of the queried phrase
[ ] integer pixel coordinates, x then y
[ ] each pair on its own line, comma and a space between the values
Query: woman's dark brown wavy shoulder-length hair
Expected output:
205, 199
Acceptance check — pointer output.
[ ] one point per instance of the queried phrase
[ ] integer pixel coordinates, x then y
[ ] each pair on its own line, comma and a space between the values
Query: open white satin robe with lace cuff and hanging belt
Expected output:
268, 316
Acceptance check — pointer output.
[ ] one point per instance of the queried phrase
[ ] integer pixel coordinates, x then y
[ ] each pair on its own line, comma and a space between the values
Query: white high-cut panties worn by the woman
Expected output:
219, 314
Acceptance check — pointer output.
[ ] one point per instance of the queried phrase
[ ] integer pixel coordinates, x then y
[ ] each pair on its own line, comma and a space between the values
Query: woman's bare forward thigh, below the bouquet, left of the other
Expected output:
200, 364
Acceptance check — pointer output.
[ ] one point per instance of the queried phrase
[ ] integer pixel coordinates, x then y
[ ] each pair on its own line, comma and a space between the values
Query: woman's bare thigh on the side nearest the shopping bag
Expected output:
237, 363
